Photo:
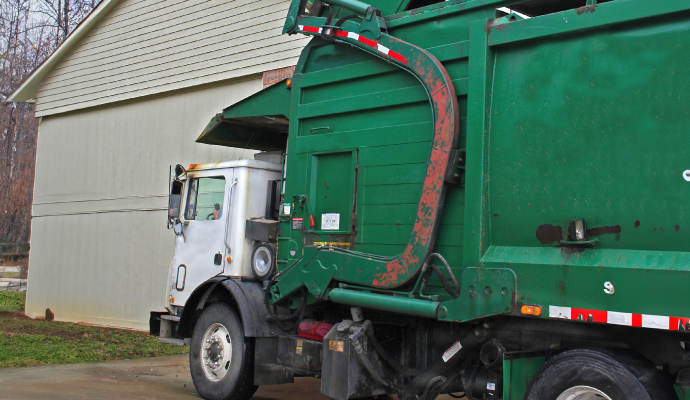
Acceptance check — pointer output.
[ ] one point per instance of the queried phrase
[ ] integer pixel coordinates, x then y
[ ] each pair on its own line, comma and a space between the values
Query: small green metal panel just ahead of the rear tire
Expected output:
518, 370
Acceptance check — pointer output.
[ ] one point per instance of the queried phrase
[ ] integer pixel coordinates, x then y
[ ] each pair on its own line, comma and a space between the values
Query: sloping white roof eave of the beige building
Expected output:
28, 89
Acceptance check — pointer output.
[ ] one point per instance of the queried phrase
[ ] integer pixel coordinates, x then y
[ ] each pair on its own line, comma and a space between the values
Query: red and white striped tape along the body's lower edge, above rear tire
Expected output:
619, 318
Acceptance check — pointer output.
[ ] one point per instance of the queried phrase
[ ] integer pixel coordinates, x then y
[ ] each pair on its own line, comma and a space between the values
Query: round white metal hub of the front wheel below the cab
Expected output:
216, 352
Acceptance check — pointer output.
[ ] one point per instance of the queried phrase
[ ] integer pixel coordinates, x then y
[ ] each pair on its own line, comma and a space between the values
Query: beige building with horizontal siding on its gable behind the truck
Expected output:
120, 101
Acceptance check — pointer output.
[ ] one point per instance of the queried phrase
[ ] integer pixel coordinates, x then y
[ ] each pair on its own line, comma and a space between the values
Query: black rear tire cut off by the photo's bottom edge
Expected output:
586, 374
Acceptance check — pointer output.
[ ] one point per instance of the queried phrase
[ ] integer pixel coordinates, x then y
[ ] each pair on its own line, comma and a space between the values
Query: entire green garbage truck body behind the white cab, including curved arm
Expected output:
563, 195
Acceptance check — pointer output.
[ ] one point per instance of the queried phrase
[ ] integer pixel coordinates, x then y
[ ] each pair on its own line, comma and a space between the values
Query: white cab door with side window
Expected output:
200, 249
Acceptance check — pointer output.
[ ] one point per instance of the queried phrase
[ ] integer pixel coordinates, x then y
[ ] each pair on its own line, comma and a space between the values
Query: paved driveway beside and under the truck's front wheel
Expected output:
145, 378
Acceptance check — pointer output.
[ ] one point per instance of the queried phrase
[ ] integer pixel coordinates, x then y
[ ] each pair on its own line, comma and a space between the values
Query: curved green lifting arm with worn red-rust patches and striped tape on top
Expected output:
371, 35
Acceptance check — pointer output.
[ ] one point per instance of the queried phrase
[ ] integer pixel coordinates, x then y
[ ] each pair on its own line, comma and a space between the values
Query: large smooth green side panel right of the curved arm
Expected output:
583, 126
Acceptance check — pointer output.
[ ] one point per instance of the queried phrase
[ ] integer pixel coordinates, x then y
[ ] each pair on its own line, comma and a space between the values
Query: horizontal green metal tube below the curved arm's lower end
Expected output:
418, 308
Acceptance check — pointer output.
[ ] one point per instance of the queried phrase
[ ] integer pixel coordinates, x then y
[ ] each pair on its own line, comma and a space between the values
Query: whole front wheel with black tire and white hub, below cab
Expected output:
221, 359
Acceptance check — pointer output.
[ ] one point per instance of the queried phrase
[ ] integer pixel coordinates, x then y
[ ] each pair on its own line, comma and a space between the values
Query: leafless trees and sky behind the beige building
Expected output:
30, 30
